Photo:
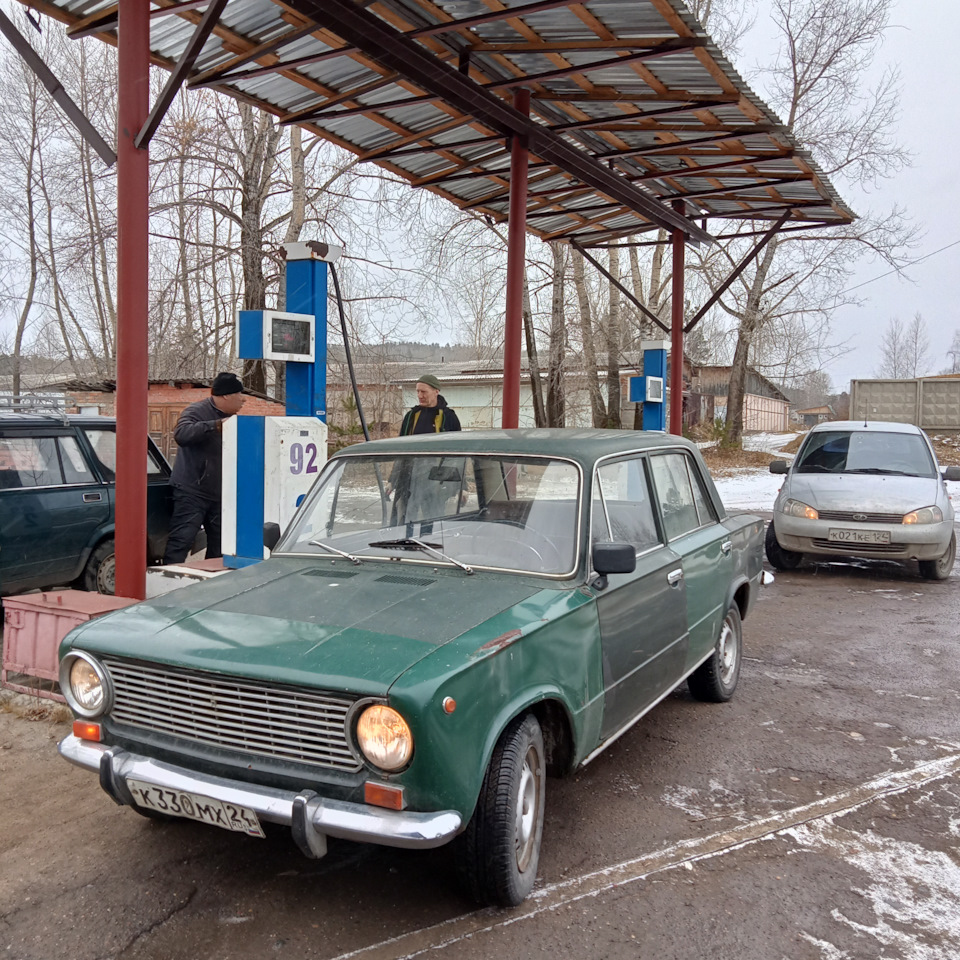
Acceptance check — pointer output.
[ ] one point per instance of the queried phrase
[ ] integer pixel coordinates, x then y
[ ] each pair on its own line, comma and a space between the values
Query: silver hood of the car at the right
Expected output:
868, 493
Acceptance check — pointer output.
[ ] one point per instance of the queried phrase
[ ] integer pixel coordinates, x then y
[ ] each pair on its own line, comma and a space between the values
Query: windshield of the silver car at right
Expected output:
869, 452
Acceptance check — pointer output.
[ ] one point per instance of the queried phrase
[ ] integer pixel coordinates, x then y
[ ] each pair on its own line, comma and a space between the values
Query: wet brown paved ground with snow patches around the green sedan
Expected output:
815, 817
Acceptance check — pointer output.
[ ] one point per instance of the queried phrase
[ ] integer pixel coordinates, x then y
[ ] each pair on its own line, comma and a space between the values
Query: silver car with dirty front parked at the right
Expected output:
864, 489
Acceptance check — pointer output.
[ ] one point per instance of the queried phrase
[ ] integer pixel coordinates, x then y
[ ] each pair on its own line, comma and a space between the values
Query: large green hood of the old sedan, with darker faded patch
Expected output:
322, 624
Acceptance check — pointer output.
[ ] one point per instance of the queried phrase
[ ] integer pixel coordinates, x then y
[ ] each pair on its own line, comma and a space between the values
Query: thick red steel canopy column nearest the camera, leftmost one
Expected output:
132, 271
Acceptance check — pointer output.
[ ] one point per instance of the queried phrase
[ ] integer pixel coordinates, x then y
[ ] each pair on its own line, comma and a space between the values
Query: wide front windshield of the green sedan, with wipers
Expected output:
509, 513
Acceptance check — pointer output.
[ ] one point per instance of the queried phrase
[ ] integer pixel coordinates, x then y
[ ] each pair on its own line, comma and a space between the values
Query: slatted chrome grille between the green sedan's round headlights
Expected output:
284, 723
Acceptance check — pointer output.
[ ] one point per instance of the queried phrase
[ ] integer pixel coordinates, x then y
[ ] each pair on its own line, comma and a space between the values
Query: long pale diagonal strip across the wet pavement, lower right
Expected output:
682, 854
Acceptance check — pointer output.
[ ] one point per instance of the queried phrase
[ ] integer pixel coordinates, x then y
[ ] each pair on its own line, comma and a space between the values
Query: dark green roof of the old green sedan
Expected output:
585, 446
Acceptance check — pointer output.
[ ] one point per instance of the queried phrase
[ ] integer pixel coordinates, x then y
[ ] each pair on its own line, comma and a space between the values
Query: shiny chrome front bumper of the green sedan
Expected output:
311, 818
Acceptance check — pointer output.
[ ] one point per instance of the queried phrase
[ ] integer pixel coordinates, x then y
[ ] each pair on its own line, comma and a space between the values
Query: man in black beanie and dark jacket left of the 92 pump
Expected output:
197, 471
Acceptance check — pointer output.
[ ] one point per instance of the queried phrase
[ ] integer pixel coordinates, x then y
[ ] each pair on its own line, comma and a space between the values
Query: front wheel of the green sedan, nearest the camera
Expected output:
500, 849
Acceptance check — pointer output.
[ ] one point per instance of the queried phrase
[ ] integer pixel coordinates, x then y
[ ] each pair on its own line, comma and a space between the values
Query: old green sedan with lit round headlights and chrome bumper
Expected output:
448, 619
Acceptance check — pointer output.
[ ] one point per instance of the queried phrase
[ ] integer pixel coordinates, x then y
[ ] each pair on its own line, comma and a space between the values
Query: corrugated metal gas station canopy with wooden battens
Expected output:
636, 121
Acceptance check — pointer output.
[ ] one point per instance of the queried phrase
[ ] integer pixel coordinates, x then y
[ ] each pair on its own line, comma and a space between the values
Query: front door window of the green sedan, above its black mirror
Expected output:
623, 510
